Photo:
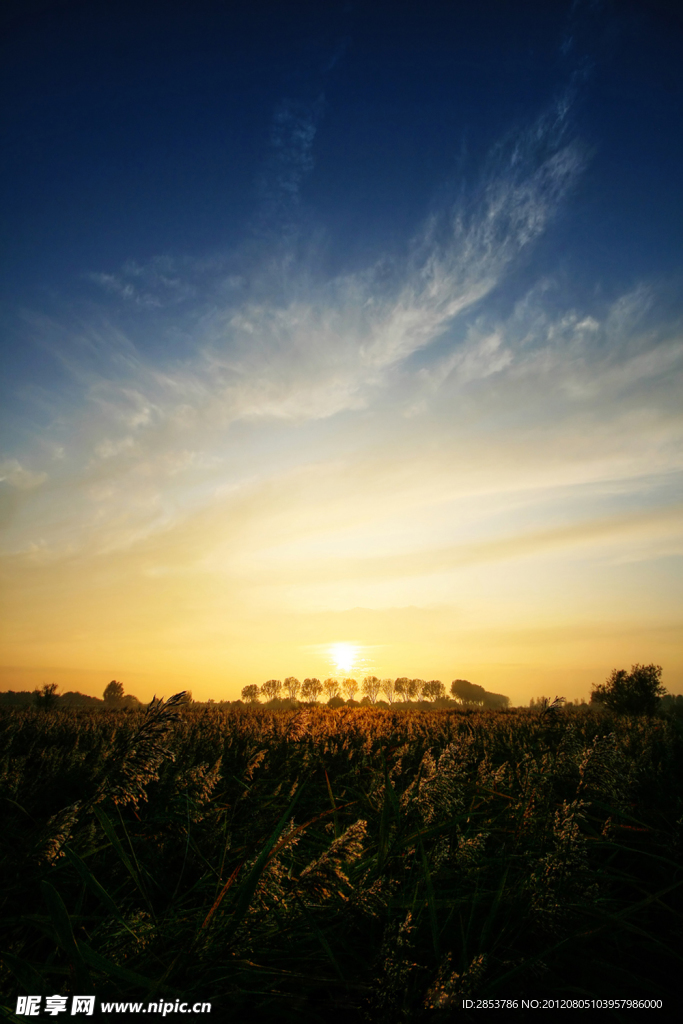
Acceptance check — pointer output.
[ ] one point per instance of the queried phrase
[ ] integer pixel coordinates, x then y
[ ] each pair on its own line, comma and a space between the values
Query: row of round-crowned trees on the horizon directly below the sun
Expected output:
401, 691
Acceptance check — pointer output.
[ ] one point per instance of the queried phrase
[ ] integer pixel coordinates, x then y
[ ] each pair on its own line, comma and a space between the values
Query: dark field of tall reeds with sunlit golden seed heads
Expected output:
352, 865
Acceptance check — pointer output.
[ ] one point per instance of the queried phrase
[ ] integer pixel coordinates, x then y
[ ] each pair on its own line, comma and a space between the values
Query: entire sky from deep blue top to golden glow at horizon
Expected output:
341, 339
